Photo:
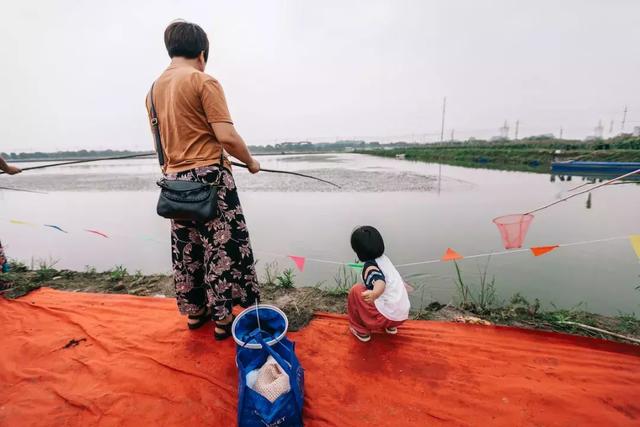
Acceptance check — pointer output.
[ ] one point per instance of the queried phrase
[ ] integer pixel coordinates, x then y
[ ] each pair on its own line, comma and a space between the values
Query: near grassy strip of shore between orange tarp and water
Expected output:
474, 303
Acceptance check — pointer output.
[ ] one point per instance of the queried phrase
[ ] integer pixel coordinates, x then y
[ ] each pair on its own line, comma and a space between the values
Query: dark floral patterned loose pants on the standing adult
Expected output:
213, 262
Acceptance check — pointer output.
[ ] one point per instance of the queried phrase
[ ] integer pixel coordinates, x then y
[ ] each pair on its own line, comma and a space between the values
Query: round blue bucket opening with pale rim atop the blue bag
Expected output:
266, 320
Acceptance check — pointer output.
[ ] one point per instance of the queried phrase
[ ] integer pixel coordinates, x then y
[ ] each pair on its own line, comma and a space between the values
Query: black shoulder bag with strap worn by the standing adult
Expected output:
184, 200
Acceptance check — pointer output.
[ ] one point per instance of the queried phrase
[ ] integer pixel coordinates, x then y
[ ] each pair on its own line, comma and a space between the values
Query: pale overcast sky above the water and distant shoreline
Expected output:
74, 74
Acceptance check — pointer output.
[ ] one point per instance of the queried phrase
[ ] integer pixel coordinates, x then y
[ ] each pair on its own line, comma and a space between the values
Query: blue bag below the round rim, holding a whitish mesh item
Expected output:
253, 409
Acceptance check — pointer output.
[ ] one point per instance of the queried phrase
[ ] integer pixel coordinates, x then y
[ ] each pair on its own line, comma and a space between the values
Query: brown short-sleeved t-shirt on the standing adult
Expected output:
187, 101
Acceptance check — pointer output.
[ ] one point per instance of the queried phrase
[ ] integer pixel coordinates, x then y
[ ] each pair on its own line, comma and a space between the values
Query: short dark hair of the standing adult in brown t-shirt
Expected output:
186, 39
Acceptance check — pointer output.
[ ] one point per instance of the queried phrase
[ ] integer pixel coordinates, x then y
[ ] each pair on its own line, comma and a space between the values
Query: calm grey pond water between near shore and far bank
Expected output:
421, 209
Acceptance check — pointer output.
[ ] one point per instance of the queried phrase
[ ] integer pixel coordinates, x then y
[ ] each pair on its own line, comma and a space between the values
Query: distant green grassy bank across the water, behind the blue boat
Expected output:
533, 155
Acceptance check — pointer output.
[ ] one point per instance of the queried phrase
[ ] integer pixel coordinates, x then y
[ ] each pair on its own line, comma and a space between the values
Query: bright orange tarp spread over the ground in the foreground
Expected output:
131, 361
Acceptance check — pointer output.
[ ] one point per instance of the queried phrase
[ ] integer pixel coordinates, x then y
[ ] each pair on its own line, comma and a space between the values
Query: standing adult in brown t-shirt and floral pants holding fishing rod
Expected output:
213, 262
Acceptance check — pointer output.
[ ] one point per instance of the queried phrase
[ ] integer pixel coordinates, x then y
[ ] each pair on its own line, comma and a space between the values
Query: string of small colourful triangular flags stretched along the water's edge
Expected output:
300, 261
